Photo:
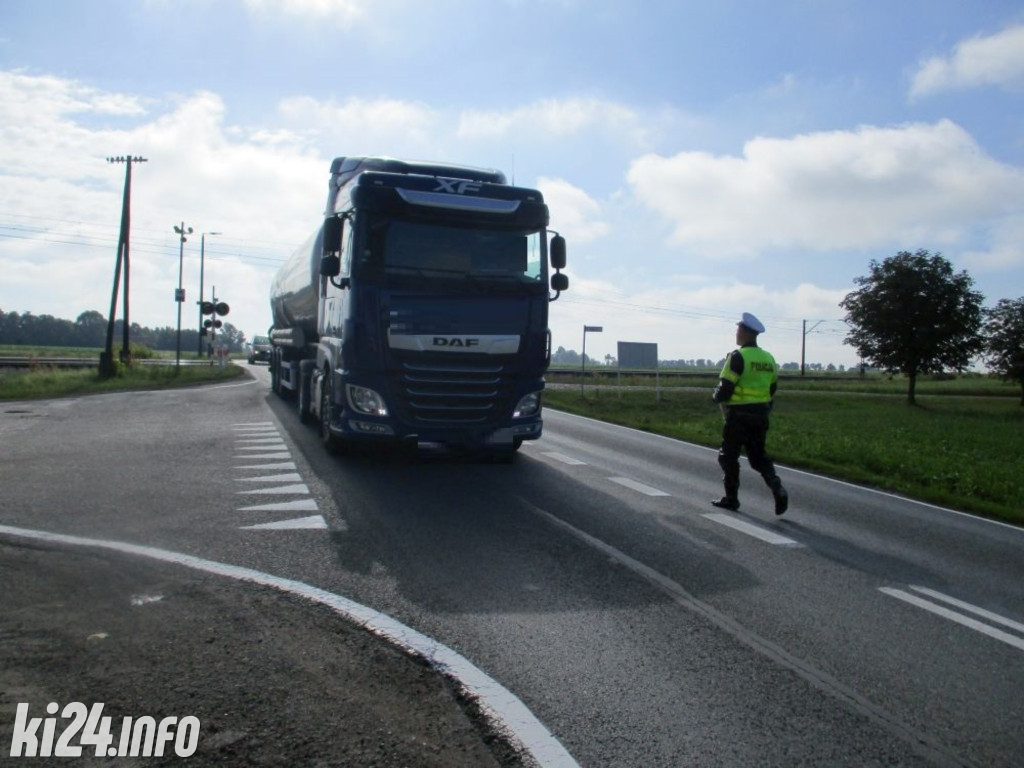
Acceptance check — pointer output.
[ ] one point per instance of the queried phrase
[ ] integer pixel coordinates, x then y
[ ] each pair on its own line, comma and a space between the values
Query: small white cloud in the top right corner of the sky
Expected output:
998, 60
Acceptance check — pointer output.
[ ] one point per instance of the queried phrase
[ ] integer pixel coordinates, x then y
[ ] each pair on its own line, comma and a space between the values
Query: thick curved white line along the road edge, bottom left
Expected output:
498, 704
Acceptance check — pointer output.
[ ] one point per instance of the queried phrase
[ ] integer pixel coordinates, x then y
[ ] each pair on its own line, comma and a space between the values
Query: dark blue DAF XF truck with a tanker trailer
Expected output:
417, 312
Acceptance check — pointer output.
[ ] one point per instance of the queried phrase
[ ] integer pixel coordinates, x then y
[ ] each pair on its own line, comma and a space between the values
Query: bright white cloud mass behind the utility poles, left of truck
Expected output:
61, 202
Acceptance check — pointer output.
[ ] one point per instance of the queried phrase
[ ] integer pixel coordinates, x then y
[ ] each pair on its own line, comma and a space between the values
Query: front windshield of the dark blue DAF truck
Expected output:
495, 260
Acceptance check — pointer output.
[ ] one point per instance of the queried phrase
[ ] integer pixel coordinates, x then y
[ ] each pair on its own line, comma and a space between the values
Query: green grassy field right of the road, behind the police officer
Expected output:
963, 451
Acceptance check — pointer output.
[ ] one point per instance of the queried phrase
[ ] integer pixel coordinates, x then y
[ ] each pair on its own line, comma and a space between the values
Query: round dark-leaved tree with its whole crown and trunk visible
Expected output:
913, 316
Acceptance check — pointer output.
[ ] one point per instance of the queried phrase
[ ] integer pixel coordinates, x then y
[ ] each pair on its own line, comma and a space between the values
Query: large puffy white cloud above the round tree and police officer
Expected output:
827, 192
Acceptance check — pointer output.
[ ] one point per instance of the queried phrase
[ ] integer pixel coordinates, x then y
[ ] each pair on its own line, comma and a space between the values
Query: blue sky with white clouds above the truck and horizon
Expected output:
703, 159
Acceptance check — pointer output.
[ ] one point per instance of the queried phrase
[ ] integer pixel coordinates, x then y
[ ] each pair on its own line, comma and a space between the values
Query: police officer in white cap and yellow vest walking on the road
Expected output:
746, 391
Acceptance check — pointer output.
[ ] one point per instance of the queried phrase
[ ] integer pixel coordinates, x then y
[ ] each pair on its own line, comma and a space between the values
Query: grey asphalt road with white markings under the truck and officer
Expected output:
591, 578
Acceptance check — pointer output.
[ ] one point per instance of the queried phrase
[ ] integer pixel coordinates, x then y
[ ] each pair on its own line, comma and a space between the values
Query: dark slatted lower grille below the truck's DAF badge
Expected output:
452, 393
